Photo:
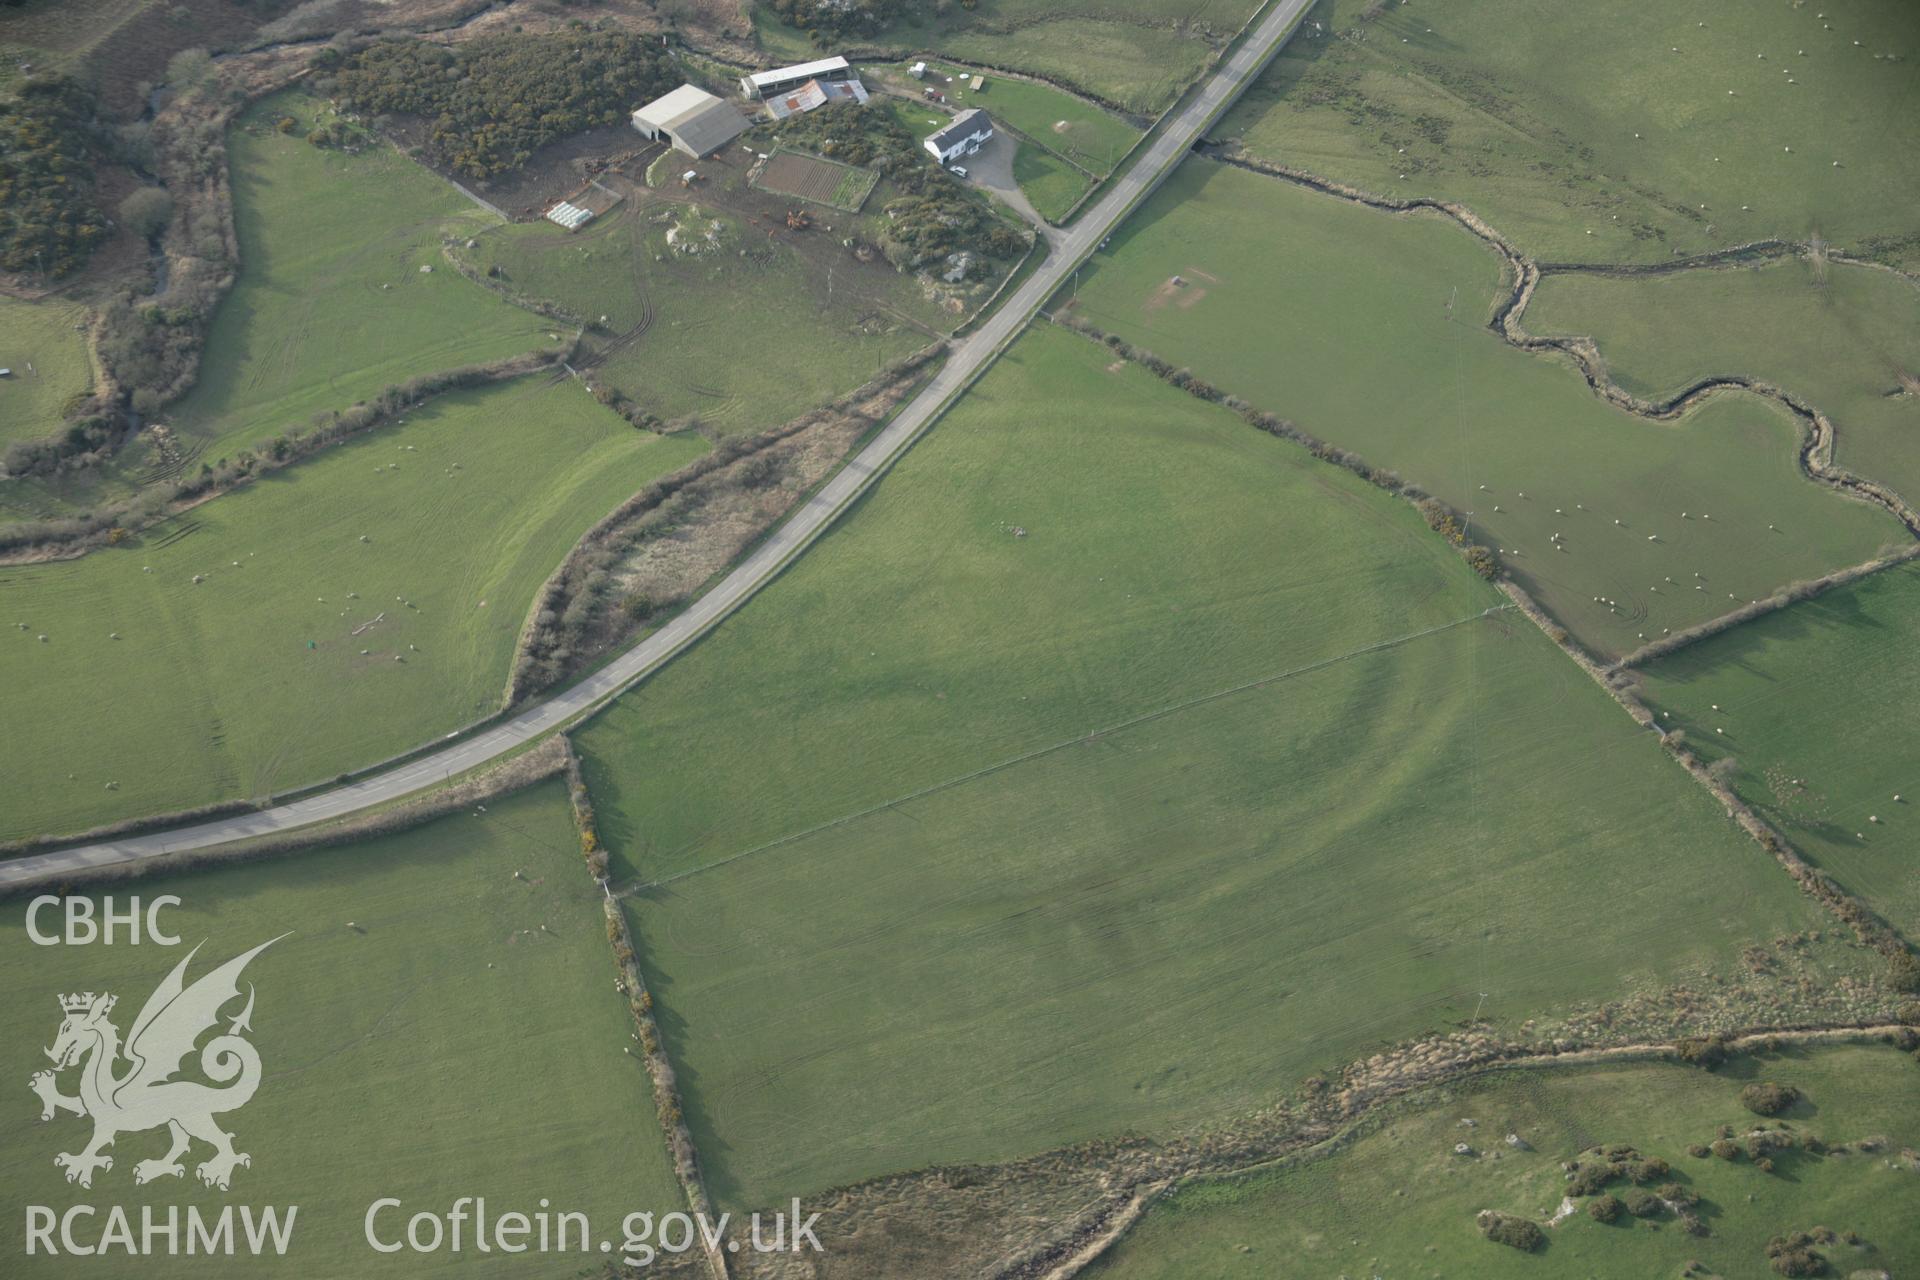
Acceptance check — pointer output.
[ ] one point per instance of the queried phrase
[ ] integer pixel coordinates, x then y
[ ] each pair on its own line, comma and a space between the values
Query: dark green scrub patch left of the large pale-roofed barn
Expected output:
492, 103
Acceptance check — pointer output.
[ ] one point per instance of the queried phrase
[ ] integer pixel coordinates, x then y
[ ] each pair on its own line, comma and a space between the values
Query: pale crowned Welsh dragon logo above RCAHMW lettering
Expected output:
147, 1095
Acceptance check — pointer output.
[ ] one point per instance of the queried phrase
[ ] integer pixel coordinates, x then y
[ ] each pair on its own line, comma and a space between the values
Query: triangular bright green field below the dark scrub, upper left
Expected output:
329, 306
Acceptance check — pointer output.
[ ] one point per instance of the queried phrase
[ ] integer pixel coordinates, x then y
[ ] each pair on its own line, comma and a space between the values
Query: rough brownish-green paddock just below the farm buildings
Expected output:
740, 335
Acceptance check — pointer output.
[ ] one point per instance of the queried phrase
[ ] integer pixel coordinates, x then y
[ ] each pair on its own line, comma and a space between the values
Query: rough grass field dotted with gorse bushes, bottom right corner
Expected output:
1401, 1202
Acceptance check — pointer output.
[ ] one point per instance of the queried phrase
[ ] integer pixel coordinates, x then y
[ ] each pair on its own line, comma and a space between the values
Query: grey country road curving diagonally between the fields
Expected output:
969, 358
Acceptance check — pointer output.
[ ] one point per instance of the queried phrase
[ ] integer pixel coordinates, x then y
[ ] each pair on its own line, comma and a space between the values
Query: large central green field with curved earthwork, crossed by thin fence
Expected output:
1111, 770
